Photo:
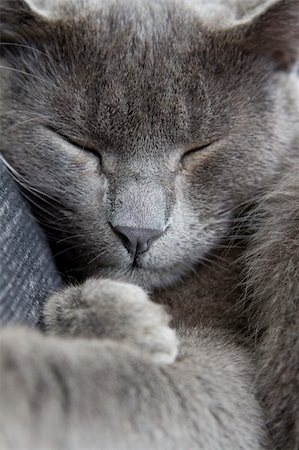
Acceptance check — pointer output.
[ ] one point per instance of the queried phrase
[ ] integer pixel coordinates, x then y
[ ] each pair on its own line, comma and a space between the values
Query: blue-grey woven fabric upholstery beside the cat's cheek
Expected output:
27, 271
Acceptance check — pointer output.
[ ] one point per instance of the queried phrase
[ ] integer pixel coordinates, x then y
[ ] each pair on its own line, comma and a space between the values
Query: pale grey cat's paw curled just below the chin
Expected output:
114, 310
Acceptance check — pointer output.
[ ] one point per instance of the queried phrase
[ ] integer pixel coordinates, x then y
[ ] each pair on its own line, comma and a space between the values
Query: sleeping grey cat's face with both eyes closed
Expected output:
140, 132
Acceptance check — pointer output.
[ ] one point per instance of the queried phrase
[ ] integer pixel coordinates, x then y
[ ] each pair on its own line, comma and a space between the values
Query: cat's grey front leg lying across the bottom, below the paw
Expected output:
90, 394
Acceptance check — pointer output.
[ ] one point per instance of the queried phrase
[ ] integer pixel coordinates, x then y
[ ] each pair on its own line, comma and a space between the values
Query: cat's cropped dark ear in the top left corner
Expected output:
19, 21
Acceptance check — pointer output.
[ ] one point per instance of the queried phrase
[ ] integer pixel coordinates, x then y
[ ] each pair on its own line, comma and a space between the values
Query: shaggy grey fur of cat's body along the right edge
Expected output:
272, 269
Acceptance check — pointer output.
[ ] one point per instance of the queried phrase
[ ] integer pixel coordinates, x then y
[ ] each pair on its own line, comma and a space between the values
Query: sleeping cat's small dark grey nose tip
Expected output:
137, 240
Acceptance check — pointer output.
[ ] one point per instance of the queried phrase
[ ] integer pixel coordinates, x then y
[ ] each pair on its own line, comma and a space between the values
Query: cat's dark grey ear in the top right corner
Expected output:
273, 32
